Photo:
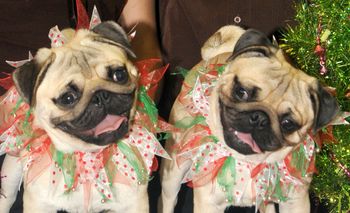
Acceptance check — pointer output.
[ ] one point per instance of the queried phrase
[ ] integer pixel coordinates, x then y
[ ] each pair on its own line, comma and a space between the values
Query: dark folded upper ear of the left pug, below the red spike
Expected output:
115, 33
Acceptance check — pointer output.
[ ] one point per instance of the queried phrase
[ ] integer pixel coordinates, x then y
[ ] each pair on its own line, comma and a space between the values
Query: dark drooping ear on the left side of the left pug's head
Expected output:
27, 76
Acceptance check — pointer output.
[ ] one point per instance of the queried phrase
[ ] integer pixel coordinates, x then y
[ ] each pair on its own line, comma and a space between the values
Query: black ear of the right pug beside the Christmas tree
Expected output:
325, 107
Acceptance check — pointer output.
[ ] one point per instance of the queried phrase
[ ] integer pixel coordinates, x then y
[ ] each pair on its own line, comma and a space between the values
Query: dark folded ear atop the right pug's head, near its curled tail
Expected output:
252, 43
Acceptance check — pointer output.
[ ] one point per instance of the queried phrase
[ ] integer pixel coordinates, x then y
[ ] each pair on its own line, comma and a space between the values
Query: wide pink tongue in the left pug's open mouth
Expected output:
110, 123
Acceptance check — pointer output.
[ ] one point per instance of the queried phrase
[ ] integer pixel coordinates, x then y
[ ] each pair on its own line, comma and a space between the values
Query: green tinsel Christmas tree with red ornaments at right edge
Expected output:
320, 46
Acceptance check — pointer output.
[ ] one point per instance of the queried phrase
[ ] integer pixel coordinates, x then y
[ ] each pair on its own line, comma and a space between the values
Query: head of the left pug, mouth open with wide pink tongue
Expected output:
84, 91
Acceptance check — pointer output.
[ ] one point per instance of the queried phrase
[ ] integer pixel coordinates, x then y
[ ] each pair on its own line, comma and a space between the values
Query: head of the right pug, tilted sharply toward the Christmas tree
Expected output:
265, 103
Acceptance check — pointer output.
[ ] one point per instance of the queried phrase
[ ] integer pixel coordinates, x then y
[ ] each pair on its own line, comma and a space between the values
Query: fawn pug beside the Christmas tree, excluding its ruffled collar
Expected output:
261, 108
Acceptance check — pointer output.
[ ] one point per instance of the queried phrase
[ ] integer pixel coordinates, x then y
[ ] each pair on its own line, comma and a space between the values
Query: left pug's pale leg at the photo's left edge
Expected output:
11, 173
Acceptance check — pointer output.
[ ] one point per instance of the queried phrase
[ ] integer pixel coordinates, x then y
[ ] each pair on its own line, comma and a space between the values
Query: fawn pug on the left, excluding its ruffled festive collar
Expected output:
83, 95
